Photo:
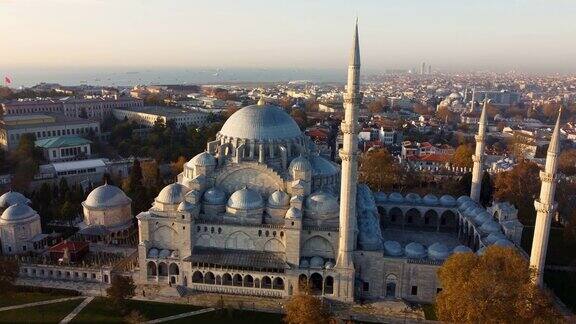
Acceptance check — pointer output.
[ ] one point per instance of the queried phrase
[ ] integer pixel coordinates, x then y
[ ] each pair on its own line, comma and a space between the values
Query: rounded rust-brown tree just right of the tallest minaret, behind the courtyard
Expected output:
379, 170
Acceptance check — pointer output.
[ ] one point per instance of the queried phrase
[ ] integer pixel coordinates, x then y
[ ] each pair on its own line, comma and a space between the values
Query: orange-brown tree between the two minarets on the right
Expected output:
520, 187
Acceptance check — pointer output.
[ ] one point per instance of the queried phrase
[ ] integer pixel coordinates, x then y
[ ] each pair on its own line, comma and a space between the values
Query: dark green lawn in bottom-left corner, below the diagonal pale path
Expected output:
52, 313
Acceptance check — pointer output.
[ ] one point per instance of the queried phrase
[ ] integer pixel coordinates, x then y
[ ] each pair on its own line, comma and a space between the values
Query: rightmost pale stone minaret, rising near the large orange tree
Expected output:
545, 206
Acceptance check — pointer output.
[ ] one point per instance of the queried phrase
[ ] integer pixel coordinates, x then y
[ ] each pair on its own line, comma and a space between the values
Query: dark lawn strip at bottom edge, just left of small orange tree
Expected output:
231, 317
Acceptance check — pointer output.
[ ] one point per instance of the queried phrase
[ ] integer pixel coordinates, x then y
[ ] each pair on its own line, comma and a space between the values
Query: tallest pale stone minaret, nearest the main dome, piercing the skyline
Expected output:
349, 180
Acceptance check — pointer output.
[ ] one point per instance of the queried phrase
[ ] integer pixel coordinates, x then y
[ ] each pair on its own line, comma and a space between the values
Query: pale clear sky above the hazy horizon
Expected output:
535, 35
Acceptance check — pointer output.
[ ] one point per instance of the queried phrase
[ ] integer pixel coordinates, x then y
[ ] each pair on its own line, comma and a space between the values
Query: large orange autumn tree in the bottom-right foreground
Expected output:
494, 287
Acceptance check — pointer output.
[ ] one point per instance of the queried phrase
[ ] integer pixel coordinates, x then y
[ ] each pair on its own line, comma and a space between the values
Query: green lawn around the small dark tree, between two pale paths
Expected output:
100, 310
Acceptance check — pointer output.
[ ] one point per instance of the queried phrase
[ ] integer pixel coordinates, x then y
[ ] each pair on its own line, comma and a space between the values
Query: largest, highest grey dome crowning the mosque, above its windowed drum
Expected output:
261, 122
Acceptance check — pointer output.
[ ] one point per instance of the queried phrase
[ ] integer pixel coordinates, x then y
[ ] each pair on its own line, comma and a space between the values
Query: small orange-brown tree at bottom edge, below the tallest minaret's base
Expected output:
303, 308
